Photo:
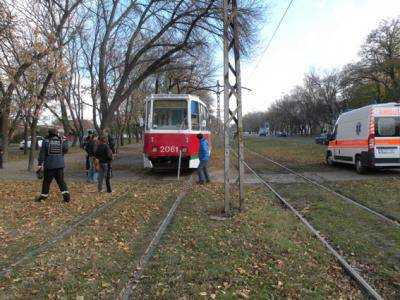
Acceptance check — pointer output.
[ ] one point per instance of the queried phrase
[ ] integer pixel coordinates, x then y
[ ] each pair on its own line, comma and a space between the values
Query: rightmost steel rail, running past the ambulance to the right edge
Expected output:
385, 218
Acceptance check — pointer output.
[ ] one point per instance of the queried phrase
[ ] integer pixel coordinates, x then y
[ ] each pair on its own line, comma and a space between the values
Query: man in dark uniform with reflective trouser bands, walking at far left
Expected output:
51, 161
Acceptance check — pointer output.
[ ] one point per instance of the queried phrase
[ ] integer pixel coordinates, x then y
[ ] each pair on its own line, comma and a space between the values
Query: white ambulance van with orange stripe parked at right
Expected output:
367, 137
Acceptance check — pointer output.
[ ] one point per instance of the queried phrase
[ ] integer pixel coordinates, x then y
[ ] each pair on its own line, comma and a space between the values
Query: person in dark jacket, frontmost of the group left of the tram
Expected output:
104, 155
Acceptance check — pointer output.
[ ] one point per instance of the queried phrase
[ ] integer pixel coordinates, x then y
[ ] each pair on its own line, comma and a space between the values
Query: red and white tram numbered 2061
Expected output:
171, 125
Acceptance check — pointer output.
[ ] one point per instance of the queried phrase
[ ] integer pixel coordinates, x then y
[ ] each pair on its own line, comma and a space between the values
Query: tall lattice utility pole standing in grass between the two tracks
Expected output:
232, 70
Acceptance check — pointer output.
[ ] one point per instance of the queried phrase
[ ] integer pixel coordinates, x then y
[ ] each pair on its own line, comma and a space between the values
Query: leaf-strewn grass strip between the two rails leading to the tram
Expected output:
97, 260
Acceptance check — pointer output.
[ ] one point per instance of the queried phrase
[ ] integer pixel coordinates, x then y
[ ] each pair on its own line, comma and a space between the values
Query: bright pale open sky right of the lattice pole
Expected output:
316, 35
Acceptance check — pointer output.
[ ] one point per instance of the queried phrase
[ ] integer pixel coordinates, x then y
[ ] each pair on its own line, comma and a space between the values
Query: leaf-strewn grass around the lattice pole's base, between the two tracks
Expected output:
262, 253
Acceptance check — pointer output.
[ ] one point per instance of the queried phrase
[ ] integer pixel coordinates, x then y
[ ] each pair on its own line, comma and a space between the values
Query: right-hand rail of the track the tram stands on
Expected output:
127, 291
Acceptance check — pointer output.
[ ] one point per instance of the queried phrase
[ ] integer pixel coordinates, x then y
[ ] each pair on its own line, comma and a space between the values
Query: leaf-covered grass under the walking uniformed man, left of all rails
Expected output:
25, 224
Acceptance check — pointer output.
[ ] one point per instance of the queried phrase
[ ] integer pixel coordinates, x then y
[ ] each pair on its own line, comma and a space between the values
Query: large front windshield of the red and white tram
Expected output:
170, 114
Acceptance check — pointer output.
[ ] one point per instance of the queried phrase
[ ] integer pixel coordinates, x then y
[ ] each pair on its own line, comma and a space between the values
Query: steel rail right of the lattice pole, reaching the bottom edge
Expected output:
371, 292
